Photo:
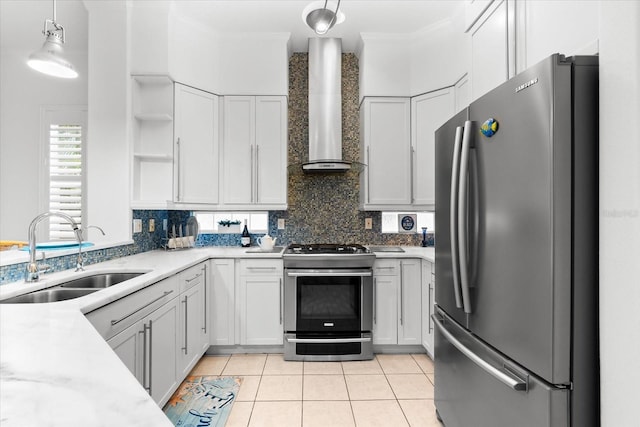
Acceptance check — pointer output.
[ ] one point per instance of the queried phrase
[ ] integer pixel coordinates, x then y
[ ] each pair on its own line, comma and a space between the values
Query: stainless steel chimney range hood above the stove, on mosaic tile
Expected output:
325, 107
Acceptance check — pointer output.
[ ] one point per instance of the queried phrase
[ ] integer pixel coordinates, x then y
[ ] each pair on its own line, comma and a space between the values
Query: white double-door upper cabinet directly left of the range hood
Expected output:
254, 166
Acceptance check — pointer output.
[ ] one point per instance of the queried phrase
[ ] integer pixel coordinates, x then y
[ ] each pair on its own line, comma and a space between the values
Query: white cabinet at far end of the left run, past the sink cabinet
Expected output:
193, 327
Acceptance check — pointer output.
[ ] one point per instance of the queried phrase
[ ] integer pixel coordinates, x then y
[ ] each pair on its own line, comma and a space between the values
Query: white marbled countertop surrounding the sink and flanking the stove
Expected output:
56, 370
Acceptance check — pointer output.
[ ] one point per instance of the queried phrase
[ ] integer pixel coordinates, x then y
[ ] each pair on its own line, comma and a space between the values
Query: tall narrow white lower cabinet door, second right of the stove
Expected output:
410, 303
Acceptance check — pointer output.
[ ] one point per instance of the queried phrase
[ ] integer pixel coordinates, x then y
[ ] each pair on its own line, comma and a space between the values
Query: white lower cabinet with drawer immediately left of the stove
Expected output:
260, 295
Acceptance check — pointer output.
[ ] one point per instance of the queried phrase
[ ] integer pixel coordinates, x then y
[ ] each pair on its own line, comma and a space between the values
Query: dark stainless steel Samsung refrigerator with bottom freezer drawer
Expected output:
516, 315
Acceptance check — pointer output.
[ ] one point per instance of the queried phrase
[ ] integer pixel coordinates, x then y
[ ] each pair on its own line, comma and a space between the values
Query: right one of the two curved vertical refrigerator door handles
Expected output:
462, 216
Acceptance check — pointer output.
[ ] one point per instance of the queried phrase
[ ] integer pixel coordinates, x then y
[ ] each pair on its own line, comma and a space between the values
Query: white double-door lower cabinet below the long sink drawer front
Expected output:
147, 348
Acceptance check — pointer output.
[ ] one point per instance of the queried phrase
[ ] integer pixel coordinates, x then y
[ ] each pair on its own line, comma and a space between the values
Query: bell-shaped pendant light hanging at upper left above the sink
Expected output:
49, 59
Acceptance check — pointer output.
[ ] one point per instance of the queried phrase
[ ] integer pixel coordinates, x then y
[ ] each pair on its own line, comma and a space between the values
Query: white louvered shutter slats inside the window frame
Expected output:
65, 178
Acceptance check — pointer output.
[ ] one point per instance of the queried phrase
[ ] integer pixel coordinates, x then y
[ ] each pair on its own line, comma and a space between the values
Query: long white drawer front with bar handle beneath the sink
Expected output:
117, 316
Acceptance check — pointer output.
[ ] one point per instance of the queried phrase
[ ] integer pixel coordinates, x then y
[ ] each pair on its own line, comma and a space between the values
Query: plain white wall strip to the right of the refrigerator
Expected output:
620, 211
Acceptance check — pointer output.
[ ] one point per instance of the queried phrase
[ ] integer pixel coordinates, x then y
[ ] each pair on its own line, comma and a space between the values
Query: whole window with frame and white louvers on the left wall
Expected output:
65, 179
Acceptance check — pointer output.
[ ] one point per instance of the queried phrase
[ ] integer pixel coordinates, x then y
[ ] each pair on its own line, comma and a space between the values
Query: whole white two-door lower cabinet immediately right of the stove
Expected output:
397, 302
